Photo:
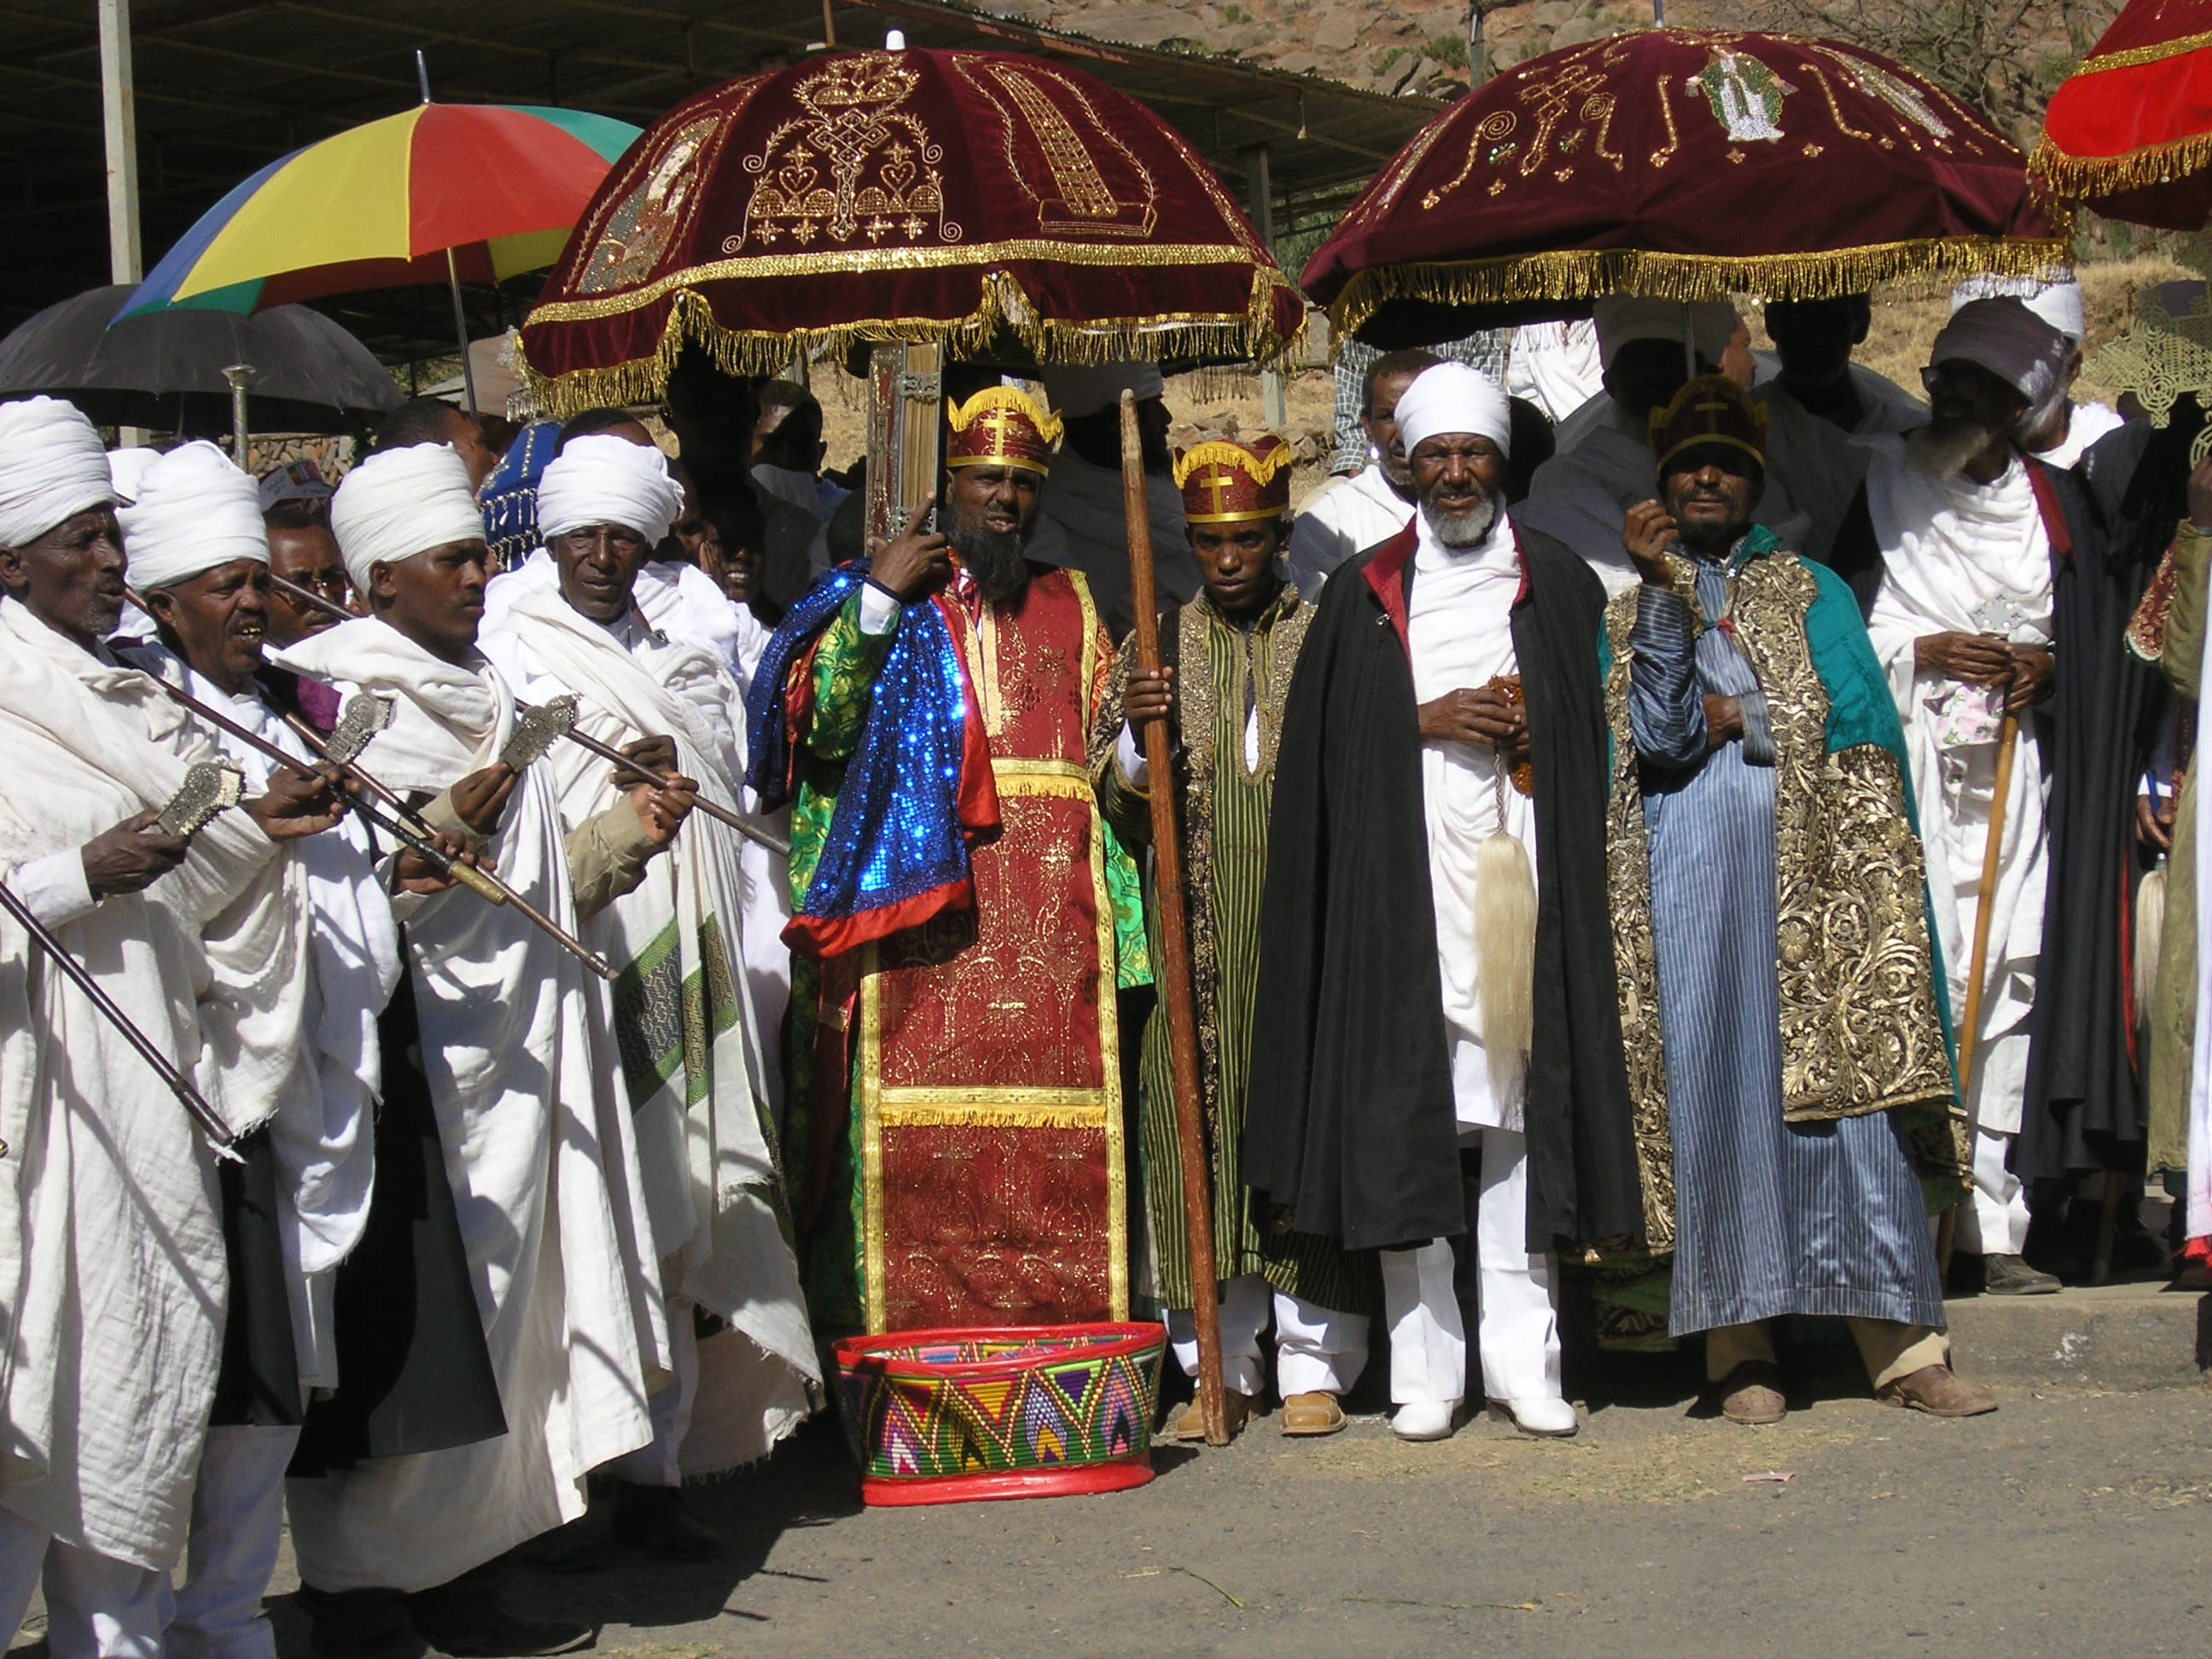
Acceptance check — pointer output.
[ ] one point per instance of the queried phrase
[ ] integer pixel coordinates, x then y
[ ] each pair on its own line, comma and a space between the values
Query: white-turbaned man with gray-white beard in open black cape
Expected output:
1437, 963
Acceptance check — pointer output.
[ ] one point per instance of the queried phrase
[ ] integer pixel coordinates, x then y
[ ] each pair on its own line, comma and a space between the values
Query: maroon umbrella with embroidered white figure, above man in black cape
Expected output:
1678, 165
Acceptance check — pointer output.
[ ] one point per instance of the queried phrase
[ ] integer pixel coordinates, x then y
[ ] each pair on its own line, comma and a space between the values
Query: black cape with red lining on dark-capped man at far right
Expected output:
2085, 1103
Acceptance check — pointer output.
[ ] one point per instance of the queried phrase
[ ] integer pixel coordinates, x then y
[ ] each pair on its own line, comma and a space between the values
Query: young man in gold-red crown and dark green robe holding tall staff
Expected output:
1235, 649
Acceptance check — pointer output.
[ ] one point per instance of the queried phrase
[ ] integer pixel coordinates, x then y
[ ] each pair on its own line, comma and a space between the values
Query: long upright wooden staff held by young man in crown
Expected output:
1176, 948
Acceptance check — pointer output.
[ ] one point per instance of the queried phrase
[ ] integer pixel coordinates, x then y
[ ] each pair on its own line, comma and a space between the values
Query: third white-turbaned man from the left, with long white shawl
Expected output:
439, 1454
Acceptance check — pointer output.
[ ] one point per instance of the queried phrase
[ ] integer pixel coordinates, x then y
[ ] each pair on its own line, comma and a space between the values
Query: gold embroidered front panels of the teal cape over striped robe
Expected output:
1855, 966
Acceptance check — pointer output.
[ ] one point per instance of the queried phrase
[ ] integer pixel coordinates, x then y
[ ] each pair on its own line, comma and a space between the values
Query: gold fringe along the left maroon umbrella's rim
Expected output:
1003, 311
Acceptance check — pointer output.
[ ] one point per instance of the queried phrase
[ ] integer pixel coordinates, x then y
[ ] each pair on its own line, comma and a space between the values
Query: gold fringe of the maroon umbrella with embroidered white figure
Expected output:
1594, 273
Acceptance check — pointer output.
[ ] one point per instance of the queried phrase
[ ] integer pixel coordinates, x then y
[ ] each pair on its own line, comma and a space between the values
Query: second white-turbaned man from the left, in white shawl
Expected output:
298, 1207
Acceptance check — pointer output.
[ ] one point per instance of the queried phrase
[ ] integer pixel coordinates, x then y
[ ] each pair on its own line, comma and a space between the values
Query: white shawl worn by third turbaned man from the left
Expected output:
539, 1154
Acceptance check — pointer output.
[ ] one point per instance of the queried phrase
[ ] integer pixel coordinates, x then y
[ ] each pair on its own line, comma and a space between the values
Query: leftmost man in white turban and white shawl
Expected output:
112, 1246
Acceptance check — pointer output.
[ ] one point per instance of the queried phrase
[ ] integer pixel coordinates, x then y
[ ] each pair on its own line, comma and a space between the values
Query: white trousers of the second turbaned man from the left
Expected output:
231, 1552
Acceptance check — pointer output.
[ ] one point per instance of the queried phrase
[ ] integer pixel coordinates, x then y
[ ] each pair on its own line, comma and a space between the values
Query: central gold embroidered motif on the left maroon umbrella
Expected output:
855, 165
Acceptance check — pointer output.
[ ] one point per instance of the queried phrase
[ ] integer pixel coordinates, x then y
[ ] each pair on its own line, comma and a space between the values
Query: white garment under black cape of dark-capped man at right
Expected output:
1954, 556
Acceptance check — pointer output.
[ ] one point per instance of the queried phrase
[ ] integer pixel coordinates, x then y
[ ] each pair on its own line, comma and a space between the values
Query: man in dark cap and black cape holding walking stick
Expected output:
1981, 574
